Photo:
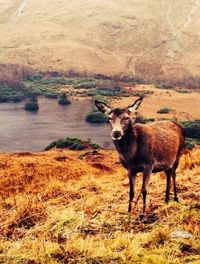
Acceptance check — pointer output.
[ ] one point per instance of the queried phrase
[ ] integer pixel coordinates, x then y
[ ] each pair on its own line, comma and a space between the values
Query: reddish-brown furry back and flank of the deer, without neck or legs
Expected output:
160, 142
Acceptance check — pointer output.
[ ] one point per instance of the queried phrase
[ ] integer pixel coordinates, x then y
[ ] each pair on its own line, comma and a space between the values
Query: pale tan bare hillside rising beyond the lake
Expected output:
159, 38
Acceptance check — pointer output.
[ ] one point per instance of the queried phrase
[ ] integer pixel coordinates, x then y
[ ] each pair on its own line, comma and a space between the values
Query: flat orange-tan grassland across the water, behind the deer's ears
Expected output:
185, 106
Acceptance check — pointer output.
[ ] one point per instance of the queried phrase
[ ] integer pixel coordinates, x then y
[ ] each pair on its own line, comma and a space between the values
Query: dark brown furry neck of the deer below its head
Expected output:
126, 146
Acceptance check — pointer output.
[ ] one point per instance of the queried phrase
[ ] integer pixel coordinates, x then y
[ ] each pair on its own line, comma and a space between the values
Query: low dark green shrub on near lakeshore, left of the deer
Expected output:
73, 144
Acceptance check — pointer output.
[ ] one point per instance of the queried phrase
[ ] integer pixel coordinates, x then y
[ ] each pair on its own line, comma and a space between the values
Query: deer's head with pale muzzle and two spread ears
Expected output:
119, 118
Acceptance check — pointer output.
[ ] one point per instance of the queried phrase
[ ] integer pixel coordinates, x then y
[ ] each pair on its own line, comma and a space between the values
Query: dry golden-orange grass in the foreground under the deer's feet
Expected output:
56, 208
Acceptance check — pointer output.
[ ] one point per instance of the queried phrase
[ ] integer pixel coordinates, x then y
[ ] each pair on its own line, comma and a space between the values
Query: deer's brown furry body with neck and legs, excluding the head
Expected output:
151, 148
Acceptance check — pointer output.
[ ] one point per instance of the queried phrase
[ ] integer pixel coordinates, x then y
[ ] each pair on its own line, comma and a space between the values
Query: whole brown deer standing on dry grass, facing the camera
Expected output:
145, 148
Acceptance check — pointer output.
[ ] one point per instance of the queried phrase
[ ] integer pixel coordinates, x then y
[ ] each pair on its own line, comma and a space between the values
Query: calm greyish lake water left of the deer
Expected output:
27, 131
